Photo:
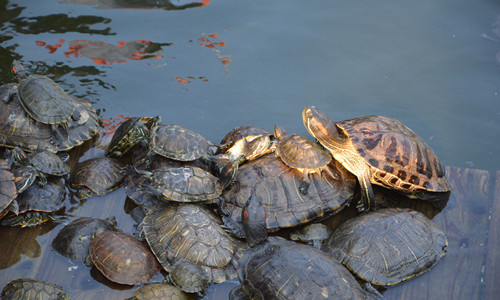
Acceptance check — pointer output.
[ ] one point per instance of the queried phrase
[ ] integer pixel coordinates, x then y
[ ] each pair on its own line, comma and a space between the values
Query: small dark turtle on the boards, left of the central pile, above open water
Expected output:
98, 176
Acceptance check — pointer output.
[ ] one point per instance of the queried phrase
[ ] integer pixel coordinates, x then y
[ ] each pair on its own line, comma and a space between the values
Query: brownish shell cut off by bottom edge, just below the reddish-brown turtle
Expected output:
159, 290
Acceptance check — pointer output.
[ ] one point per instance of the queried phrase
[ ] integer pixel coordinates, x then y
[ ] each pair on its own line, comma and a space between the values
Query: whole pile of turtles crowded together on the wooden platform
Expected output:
260, 182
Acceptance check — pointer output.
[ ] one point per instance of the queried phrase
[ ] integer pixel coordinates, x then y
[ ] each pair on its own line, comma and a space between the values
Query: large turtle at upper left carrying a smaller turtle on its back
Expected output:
17, 128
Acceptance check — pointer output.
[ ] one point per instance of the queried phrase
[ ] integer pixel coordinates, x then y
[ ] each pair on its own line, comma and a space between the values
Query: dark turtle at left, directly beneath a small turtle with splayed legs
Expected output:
36, 204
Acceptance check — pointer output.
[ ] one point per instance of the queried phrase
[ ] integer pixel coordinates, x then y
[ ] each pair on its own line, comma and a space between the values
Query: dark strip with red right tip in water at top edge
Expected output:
141, 4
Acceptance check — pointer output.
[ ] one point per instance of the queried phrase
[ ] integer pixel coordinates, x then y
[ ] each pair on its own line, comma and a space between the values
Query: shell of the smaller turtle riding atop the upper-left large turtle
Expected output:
44, 100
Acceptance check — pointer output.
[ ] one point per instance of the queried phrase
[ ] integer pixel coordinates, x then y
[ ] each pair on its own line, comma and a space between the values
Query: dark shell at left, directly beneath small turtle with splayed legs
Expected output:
48, 198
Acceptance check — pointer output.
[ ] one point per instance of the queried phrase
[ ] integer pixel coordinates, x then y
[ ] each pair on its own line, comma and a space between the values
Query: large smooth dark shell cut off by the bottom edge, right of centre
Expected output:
282, 269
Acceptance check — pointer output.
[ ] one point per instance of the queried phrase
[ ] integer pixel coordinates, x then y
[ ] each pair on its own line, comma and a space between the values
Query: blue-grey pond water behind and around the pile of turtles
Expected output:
213, 65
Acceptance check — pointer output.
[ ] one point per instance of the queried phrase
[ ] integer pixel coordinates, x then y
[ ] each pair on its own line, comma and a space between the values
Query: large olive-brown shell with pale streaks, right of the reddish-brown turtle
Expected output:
191, 232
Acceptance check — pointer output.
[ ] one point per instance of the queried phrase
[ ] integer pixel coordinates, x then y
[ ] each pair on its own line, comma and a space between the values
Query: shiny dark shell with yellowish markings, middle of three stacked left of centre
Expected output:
186, 184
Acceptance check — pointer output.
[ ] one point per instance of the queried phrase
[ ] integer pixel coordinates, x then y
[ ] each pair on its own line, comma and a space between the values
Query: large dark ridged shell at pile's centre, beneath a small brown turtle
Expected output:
277, 185
